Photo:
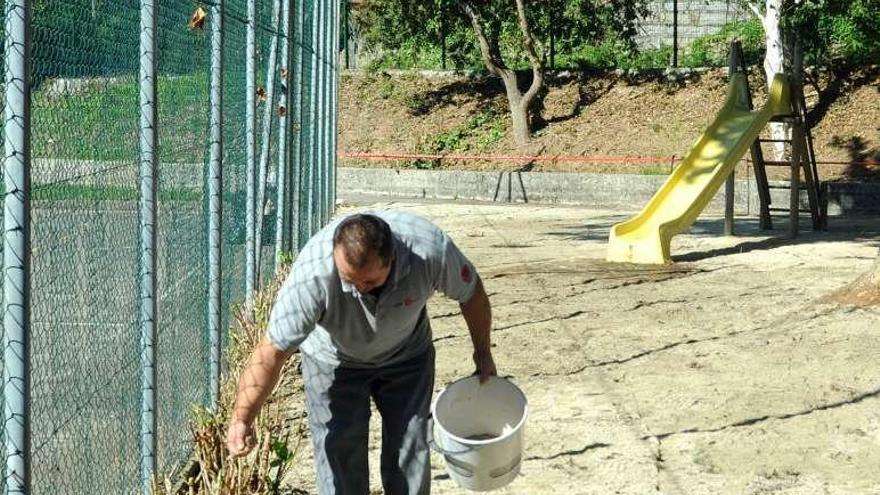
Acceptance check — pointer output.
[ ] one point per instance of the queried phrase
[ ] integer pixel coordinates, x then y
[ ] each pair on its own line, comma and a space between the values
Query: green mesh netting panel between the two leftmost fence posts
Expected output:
85, 357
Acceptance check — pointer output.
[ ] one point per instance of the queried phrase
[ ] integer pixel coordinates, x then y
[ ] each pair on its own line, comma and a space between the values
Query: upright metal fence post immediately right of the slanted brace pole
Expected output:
283, 133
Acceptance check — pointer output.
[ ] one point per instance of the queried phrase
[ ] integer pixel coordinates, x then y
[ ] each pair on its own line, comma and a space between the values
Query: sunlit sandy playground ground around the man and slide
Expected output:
723, 373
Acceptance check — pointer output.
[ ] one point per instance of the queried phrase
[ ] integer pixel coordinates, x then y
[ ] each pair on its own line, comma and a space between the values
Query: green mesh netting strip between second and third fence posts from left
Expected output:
182, 349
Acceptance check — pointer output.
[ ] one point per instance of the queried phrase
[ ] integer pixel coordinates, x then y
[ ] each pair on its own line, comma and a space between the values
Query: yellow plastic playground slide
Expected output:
645, 238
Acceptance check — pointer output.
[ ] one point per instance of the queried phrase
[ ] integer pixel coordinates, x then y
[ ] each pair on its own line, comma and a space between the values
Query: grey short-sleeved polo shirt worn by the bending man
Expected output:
329, 320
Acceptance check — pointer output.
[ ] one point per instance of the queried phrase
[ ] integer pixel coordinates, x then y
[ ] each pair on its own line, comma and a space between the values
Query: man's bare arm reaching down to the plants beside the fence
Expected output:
257, 381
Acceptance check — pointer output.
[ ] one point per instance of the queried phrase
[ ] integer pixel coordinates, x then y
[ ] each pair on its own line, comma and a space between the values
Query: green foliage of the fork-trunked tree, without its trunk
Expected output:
412, 25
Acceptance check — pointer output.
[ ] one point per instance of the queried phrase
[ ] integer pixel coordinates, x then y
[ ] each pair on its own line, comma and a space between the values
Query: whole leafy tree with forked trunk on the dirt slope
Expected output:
509, 33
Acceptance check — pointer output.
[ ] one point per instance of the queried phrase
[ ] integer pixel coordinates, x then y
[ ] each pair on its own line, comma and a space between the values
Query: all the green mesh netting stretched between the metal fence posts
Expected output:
86, 369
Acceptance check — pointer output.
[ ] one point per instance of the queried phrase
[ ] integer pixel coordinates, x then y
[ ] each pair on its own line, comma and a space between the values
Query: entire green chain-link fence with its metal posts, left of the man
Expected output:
80, 326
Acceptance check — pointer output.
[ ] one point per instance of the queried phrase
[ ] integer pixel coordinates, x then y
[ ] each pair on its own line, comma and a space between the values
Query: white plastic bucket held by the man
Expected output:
479, 431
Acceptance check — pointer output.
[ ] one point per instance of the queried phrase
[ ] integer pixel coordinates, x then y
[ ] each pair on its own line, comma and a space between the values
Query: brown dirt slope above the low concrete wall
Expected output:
593, 114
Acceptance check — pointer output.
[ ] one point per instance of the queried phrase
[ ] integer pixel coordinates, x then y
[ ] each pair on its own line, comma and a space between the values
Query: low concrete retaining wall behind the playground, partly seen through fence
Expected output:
612, 191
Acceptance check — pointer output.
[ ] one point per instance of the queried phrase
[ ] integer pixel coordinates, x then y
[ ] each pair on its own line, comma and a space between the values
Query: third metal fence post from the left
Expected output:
215, 202
